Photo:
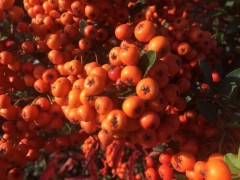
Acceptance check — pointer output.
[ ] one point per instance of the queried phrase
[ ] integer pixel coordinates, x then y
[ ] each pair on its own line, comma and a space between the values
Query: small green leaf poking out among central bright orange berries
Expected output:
146, 61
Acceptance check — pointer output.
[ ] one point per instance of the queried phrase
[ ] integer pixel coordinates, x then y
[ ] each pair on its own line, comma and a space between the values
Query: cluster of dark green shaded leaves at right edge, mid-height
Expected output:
223, 98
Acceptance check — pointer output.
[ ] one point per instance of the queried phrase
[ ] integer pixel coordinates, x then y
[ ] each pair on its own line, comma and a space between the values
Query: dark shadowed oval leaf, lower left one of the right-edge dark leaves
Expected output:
207, 109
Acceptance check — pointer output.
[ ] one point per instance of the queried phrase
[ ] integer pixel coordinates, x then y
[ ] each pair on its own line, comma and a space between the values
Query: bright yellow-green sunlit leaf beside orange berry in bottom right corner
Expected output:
232, 162
